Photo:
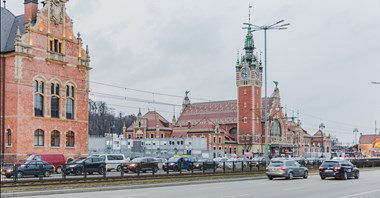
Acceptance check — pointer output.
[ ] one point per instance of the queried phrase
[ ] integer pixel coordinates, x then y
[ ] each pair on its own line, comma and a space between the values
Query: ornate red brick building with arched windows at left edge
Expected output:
44, 82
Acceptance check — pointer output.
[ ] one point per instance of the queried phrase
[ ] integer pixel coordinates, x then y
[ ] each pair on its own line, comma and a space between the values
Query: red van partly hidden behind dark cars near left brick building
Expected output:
57, 160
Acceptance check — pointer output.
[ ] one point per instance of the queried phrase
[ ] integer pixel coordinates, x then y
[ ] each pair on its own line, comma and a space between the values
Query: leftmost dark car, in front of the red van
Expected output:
34, 167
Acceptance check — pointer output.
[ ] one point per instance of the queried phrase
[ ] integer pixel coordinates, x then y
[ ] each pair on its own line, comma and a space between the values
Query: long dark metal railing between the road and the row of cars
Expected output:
15, 173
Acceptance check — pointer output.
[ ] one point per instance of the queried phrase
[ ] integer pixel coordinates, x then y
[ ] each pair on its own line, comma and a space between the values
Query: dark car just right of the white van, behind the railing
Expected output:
141, 164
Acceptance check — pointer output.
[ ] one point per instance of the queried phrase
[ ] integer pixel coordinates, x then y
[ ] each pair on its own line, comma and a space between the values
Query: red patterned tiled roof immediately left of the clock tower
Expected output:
221, 112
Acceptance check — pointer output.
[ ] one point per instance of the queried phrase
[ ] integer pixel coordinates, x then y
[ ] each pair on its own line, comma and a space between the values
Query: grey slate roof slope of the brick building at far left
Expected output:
9, 25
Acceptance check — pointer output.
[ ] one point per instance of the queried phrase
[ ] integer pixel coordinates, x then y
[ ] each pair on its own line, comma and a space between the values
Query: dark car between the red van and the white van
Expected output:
88, 165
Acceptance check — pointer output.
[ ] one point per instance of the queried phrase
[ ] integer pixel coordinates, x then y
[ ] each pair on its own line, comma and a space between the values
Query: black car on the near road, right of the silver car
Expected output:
338, 168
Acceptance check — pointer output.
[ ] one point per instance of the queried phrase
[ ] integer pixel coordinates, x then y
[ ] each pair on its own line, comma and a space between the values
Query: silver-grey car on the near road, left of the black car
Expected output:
286, 168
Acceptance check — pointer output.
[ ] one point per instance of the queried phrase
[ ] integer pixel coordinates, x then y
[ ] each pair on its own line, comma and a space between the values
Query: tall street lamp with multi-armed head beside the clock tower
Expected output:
276, 26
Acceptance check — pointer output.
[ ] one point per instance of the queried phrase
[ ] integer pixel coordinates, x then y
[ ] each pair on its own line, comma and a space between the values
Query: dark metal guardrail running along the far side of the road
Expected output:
218, 169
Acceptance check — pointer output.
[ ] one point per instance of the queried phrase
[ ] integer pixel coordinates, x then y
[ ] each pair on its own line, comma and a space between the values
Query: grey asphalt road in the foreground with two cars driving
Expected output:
368, 186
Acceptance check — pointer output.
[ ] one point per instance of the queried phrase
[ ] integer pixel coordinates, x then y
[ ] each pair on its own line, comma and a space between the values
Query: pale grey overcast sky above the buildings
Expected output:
324, 63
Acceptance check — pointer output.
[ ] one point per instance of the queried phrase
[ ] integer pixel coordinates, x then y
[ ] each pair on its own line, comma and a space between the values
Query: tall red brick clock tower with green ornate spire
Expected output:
249, 82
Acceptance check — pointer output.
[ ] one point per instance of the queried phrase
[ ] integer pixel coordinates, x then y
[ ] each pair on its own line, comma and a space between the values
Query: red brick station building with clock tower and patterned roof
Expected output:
233, 126
